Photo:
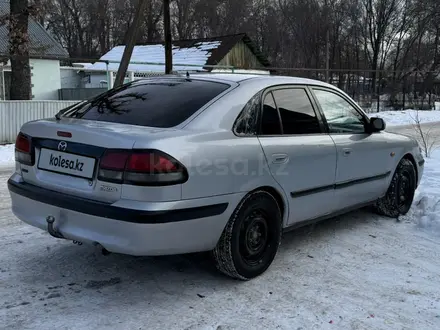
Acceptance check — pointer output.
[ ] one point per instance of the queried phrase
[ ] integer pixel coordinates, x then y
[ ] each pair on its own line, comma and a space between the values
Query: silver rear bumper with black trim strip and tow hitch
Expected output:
151, 229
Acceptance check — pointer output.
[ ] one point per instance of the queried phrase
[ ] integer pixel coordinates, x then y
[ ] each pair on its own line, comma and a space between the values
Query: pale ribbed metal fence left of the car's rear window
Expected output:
13, 114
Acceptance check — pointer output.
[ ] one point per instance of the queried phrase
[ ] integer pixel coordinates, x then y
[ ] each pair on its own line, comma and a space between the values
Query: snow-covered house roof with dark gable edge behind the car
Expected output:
188, 55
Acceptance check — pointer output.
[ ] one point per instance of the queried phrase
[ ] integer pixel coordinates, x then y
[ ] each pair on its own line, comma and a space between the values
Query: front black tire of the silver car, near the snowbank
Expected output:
400, 194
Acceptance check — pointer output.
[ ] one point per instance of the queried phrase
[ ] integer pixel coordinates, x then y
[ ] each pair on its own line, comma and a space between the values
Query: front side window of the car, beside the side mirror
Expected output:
341, 116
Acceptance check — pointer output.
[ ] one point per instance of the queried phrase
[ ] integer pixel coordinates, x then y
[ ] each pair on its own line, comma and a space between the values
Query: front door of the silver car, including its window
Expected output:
364, 159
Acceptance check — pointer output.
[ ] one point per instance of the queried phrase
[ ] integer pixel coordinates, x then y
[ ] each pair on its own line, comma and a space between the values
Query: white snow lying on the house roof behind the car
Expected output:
192, 58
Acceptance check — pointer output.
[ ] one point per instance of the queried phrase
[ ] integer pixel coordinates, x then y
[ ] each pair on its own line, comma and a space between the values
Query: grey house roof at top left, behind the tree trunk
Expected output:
41, 42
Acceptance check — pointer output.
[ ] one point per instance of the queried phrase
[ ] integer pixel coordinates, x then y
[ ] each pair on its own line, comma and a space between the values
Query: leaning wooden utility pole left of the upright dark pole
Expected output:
131, 41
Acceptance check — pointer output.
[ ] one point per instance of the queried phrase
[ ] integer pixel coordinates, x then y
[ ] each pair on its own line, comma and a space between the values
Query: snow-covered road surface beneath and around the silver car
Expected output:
359, 271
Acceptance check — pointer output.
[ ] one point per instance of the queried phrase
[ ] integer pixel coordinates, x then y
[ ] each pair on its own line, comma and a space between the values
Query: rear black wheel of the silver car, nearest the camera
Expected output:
250, 240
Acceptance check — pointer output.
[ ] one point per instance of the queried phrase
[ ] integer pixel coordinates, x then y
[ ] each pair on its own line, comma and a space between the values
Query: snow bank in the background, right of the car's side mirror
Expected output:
406, 117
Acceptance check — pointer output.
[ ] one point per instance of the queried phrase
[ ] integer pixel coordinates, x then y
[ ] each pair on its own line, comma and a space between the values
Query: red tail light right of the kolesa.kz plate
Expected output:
146, 168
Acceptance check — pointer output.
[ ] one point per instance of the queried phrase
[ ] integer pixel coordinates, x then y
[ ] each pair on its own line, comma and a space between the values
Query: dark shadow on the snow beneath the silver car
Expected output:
65, 269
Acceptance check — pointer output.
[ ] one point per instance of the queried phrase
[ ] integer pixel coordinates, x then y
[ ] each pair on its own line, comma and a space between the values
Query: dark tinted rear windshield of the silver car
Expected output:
153, 103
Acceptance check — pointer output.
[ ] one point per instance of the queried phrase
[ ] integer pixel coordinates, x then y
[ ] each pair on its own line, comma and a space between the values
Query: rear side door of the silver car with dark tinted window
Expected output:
301, 157
